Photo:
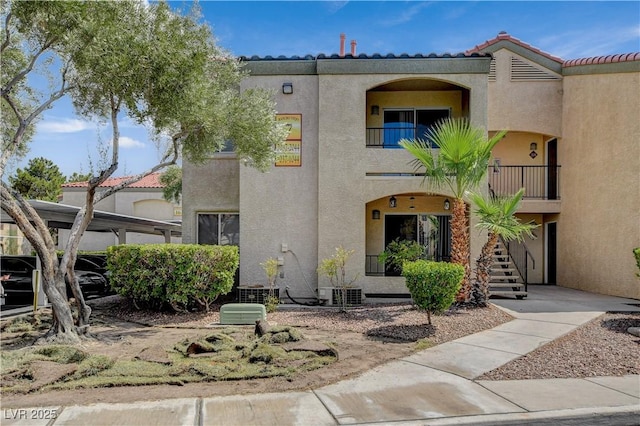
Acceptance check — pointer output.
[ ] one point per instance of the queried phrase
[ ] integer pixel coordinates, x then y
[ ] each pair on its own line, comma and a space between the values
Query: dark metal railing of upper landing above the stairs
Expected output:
539, 182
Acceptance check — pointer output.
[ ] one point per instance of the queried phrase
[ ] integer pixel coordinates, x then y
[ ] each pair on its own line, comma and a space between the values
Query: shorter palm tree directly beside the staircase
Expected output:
497, 216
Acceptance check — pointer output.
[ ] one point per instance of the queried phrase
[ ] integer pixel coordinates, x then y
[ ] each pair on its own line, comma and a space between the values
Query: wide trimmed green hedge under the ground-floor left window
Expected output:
182, 276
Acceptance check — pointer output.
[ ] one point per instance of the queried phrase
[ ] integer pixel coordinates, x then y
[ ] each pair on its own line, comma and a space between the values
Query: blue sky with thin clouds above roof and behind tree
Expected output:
569, 30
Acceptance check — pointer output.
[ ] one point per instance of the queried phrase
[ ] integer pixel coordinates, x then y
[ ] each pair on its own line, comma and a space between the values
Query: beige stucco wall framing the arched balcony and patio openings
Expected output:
344, 189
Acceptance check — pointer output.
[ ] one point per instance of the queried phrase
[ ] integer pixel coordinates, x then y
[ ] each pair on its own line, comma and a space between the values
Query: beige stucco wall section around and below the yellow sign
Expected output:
280, 206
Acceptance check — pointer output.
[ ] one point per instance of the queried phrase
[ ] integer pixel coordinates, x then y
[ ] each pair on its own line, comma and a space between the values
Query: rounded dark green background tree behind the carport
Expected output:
40, 180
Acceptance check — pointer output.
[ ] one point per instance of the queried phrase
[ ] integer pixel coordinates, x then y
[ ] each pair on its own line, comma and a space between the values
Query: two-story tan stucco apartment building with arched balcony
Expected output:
573, 143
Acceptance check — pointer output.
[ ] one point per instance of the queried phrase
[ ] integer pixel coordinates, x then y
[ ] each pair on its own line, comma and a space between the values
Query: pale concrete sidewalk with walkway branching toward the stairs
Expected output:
435, 386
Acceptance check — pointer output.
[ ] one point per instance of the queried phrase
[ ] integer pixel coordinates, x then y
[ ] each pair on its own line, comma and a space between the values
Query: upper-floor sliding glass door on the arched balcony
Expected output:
404, 123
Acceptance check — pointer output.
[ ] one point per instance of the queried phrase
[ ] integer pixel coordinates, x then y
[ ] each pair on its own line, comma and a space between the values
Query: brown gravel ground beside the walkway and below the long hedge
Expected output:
601, 347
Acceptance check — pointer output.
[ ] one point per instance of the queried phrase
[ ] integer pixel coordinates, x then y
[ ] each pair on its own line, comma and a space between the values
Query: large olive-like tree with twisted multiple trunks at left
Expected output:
114, 59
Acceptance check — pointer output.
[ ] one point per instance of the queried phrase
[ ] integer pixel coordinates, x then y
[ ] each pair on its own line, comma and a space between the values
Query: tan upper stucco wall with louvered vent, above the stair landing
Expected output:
534, 106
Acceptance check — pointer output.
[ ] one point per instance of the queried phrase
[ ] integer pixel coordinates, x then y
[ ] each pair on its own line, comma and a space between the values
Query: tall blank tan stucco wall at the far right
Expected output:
600, 224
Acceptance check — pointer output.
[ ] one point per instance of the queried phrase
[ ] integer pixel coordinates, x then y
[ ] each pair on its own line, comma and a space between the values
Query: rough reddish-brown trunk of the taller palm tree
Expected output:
460, 247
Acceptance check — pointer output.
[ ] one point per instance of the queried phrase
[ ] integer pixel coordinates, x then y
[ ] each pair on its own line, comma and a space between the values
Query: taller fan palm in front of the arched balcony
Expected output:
455, 155
